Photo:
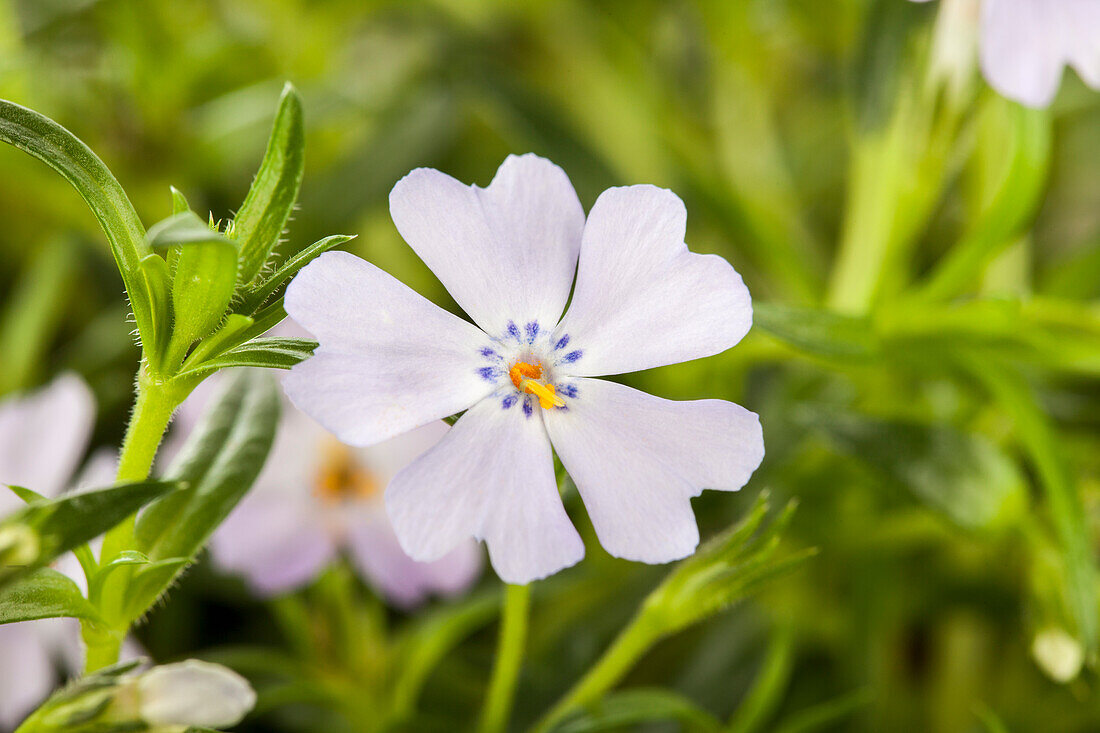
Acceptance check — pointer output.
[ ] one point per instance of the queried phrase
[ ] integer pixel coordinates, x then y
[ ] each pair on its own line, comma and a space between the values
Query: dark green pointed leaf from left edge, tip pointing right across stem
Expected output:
63, 524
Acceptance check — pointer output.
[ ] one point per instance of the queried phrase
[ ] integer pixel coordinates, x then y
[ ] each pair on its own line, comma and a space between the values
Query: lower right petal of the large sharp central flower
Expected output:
637, 462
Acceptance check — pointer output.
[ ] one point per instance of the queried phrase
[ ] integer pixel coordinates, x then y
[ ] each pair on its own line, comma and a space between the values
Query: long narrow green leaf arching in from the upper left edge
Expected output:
60, 149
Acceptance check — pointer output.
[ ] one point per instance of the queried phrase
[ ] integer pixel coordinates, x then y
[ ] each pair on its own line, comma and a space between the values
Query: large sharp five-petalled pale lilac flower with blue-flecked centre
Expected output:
391, 362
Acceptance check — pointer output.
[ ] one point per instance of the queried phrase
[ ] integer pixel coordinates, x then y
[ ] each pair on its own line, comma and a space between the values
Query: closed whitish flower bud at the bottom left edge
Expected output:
193, 693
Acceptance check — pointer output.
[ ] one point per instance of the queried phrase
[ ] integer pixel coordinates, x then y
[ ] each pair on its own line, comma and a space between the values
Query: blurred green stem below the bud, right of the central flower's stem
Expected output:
628, 649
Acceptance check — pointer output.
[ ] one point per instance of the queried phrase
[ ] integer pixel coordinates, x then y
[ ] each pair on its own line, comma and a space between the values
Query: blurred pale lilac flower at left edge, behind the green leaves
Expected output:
43, 436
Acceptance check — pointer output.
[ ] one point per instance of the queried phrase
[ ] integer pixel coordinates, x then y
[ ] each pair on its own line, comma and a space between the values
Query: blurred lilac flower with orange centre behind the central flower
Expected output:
317, 497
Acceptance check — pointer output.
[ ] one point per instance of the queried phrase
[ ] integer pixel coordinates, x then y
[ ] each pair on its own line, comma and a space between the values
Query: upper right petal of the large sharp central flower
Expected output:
642, 299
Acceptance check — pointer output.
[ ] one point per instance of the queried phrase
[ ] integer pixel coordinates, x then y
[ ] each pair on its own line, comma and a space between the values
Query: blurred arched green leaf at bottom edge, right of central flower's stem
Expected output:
636, 707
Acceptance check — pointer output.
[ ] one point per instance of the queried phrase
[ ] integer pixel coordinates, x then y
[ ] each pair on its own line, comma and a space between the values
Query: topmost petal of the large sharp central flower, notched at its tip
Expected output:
503, 253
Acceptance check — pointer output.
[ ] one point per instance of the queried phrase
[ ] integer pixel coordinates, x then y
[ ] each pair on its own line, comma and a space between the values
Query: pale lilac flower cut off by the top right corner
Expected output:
1026, 45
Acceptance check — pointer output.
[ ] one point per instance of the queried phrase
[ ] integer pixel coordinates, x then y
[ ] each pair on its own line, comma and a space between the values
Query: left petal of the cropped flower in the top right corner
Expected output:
1022, 49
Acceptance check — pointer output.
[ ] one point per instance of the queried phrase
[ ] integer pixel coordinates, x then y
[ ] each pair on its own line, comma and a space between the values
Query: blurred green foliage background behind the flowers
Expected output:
925, 259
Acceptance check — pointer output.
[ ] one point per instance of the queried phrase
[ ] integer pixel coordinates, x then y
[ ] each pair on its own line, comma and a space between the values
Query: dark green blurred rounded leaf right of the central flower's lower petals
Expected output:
961, 475
